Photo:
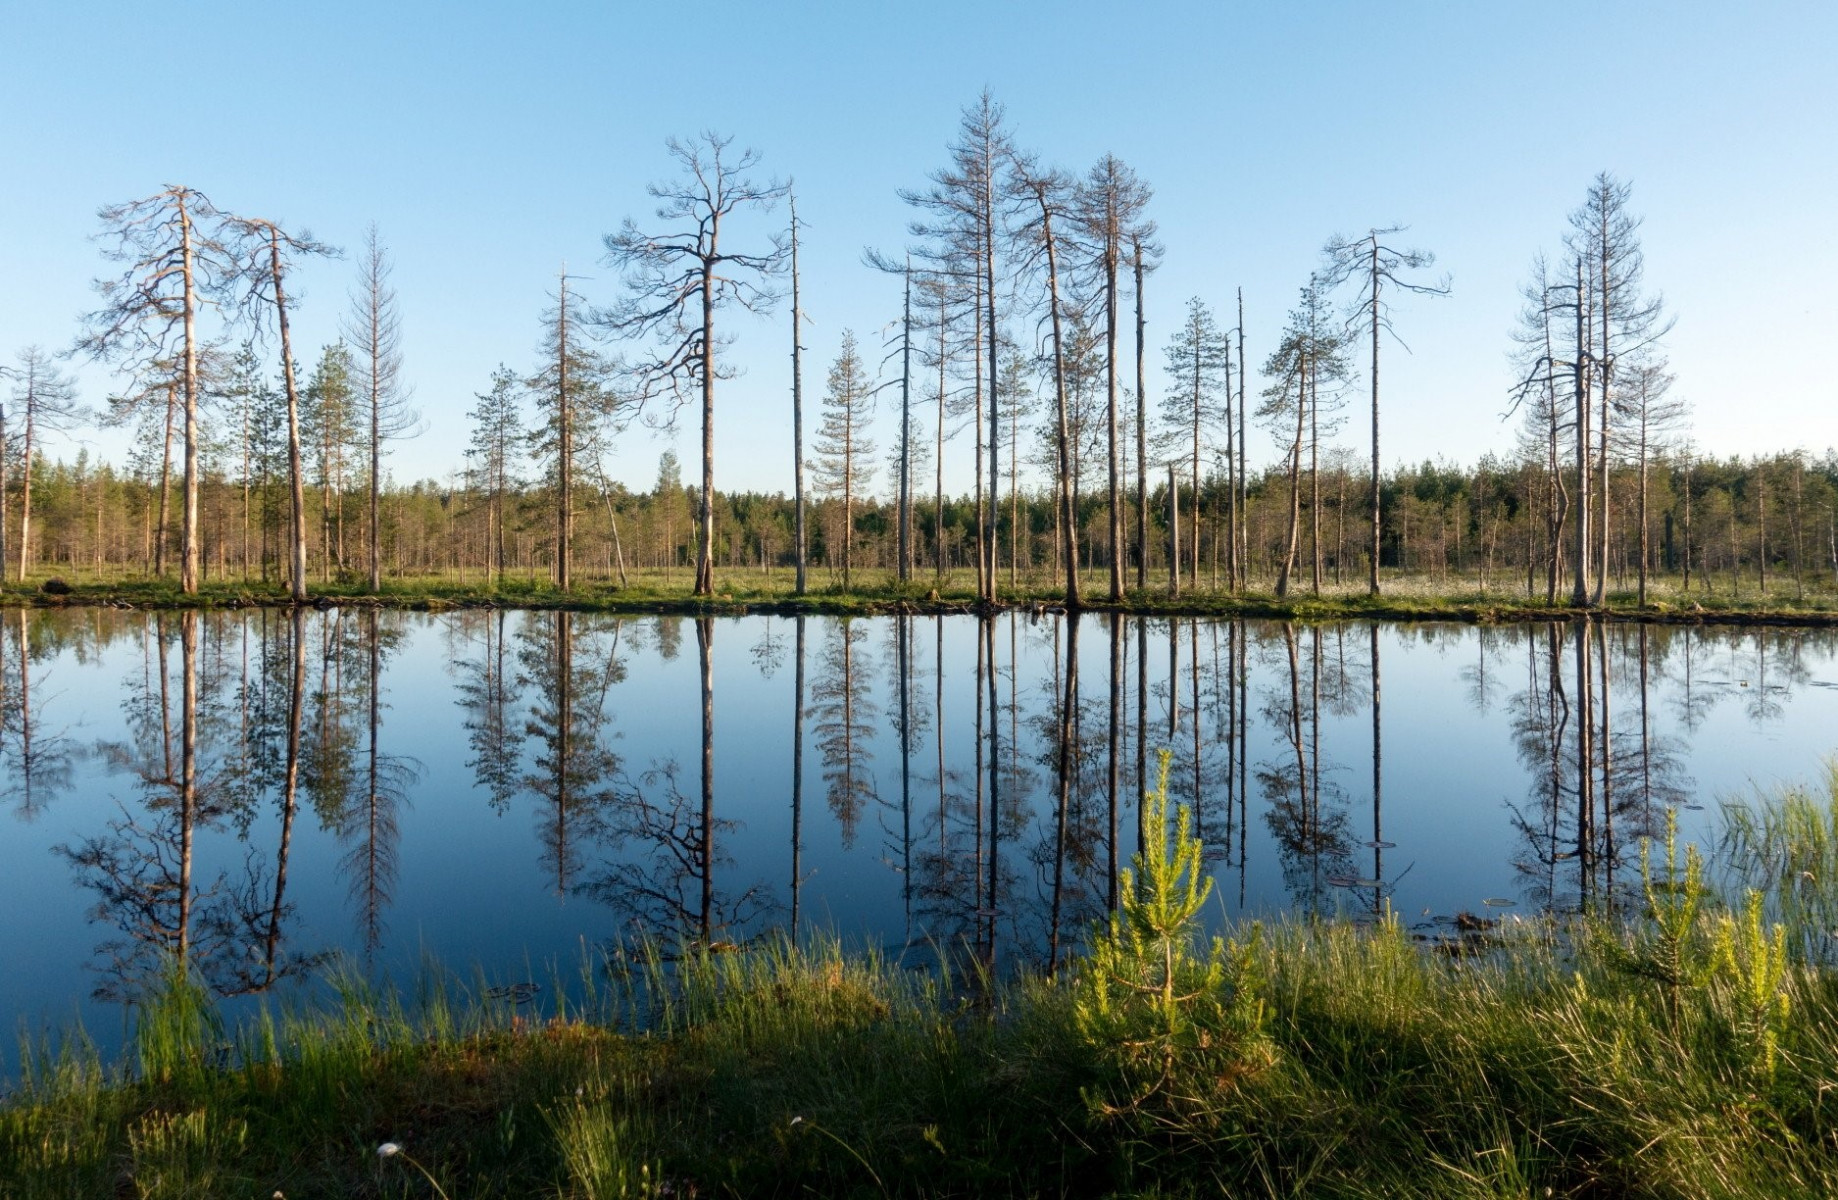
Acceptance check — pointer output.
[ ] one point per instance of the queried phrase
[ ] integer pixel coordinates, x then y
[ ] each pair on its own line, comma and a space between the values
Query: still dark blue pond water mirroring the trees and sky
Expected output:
505, 789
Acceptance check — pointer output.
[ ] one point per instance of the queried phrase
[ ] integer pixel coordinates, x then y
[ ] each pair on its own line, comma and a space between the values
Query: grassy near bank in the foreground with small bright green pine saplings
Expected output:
1681, 1050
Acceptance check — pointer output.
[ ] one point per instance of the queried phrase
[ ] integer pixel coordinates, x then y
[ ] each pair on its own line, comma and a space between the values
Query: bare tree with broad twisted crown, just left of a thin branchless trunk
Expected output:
679, 278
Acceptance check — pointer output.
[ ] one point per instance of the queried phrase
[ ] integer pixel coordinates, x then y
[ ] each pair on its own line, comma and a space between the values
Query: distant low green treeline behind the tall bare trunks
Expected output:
1716, 525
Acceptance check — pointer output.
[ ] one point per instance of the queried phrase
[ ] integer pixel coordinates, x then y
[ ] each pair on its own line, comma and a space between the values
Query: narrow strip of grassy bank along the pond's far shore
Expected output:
1414, 598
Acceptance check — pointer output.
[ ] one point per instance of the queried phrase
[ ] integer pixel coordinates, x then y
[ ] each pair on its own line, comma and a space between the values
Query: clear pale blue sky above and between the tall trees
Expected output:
495, 142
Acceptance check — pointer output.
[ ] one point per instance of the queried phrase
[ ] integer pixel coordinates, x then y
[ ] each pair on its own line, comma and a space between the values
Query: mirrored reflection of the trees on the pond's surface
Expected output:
988, 769
